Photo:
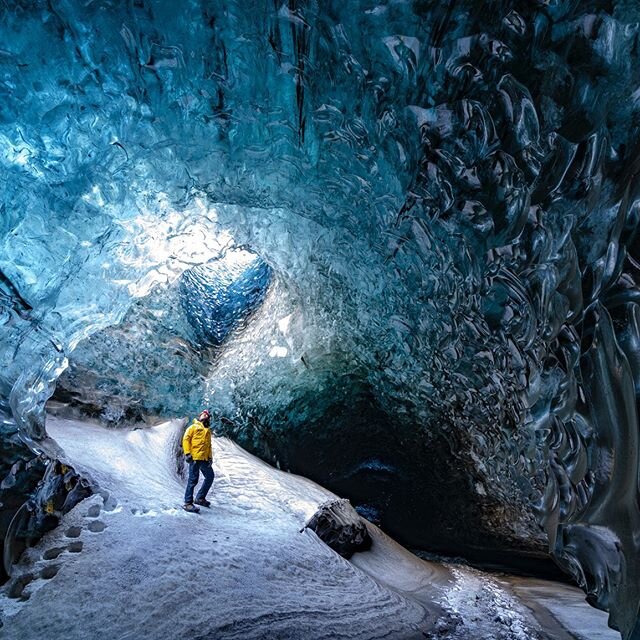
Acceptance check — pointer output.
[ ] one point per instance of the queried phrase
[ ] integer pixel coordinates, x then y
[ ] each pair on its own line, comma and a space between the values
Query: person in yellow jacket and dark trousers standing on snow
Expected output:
196, 444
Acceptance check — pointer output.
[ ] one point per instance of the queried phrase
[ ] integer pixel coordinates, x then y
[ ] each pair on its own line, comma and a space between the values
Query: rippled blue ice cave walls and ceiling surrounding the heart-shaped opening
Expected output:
446, 197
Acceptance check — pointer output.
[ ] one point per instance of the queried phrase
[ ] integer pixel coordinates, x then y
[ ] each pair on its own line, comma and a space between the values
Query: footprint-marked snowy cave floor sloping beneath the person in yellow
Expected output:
129, 563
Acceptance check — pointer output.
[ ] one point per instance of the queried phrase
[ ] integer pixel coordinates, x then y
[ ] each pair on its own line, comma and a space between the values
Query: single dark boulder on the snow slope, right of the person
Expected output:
339, 526
